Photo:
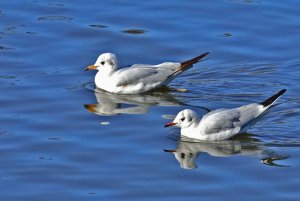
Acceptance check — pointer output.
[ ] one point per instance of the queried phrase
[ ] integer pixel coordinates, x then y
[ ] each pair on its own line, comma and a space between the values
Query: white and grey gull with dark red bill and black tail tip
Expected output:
222, 124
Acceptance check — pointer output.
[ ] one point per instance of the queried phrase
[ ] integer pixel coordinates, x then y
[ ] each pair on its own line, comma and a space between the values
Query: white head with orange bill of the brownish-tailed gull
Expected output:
107, 61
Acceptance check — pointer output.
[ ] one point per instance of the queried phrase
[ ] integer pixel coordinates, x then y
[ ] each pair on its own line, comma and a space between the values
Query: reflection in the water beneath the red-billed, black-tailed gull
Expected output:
188, 150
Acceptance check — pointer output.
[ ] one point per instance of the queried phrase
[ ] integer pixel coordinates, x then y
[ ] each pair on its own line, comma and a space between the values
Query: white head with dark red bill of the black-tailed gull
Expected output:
184, 119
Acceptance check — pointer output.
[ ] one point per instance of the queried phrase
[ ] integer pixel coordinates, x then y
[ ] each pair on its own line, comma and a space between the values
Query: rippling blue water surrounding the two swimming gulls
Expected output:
52, 148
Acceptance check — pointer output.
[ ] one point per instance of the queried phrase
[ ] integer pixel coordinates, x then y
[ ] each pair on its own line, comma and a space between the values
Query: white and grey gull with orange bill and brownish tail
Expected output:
139, 78
